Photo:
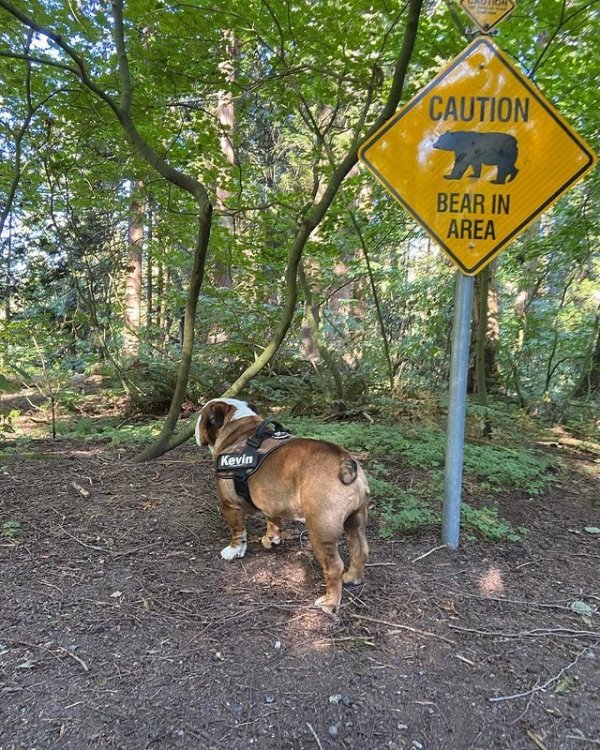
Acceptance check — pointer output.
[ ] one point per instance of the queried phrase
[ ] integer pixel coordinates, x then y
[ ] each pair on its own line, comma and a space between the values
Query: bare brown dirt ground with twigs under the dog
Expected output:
121, 627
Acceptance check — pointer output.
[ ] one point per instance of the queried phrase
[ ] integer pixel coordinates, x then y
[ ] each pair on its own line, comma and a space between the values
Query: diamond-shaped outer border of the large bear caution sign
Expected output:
542, 101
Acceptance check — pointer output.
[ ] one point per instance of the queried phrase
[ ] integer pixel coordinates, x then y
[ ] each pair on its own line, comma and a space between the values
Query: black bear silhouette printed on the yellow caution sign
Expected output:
472, 149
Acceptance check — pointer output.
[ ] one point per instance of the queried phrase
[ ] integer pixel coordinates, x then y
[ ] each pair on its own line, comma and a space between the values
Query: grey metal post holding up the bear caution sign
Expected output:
459, 362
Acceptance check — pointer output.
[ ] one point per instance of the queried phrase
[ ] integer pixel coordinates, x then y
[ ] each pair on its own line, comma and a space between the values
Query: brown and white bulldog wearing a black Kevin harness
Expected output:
309, 480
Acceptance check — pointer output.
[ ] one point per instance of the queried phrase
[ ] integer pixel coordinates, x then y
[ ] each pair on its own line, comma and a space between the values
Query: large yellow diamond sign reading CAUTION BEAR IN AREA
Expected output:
477, 155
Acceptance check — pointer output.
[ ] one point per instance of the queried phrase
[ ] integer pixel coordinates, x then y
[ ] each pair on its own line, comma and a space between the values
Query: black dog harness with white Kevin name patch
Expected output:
246, 457
